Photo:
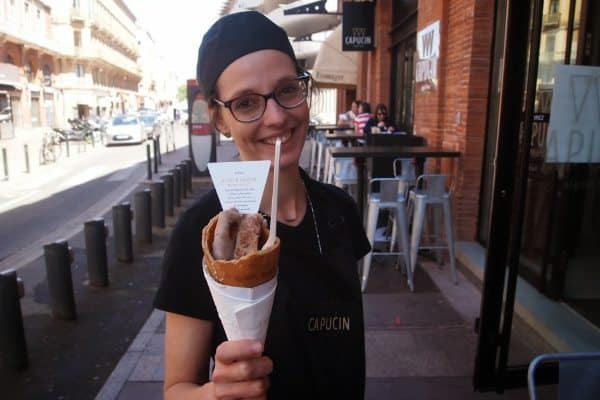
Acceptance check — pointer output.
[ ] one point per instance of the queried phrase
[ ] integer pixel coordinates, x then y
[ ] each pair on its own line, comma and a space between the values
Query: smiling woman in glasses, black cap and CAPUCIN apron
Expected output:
315, 340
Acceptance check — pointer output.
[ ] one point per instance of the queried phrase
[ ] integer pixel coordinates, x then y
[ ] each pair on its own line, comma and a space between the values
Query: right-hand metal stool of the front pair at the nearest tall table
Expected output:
430, 191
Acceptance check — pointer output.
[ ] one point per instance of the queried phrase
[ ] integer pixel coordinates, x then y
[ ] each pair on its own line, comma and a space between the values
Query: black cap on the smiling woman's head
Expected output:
232, 37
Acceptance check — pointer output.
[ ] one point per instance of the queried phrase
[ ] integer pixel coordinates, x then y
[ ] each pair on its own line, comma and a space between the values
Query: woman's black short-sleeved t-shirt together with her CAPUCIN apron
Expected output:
308, 282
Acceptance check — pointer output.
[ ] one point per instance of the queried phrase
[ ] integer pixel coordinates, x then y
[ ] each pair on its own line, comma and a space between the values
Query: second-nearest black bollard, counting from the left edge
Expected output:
59, 257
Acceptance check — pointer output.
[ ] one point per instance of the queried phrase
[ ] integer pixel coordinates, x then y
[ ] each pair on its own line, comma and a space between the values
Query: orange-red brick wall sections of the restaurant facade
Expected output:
453, 114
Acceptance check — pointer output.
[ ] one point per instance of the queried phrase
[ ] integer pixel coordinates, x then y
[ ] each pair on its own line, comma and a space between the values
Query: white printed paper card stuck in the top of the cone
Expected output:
240, 184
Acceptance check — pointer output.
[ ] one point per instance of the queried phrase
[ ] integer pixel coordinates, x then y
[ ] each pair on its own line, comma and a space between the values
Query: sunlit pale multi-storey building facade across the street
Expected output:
64, 59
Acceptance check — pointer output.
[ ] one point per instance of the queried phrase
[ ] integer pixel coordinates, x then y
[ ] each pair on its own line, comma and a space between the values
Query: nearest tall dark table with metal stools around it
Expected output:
361, 153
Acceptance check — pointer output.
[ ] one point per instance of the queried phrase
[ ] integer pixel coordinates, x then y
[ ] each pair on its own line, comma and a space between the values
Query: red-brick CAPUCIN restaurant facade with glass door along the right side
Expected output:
481, 77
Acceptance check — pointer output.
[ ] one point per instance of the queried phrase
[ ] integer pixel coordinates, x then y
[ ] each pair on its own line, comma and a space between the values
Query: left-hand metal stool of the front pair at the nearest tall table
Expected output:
392, 197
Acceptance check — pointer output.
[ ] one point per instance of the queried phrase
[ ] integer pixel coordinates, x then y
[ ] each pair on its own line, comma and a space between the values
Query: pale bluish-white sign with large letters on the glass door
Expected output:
574, 129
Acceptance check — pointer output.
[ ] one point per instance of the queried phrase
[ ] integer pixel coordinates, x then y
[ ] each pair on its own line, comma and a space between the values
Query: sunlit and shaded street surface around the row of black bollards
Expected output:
52, 203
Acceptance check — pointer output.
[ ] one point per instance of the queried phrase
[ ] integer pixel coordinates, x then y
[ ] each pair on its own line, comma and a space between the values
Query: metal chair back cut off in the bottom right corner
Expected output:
578, 374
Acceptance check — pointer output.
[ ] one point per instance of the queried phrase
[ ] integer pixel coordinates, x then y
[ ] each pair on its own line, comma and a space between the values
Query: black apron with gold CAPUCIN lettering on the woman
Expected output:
316, 331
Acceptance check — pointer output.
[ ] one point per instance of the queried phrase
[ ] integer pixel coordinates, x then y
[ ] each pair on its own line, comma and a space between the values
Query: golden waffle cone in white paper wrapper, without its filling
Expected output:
242, 289
